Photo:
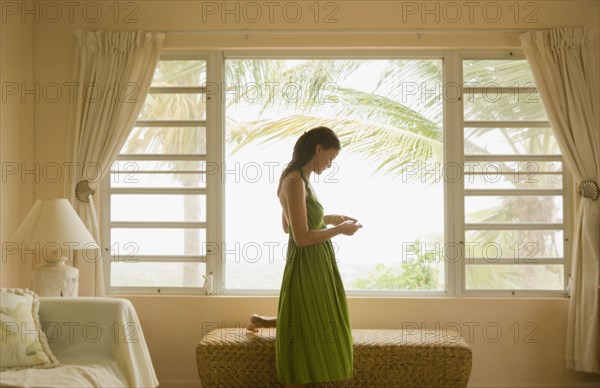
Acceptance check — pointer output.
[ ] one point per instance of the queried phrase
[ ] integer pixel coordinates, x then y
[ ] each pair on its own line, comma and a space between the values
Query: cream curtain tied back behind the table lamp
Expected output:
113, 73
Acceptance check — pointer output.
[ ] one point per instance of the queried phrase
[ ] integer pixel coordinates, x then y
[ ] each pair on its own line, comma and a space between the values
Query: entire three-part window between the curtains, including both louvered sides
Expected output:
447, 159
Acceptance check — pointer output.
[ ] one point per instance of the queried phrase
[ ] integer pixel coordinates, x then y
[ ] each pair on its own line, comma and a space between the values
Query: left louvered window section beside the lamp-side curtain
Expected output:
158, 186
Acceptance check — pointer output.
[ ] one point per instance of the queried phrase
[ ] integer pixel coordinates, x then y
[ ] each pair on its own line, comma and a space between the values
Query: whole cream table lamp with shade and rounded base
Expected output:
52, 227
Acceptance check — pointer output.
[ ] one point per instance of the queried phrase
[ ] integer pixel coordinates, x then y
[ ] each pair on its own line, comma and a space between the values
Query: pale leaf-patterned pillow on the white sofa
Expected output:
23, 344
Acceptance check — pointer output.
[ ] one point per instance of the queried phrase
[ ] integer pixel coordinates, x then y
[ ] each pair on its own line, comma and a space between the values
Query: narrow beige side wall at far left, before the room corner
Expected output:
16, 143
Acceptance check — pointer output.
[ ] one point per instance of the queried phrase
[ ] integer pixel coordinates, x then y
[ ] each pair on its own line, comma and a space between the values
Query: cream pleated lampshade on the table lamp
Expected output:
54, 221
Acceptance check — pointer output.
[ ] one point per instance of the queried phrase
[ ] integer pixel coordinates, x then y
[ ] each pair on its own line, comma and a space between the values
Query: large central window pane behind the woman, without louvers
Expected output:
386, 134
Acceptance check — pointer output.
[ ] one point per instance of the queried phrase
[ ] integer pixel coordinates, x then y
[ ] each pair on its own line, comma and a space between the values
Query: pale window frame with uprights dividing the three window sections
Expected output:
453, 127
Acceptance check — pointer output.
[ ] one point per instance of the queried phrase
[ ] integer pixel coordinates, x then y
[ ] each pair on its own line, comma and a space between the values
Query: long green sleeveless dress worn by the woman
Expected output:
314, 340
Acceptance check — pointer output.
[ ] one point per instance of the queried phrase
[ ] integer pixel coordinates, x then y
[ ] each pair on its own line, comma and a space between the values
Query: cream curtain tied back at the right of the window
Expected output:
563, 62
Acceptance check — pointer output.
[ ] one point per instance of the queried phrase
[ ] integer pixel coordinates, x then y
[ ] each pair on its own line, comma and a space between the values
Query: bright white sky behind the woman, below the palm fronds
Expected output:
392, 212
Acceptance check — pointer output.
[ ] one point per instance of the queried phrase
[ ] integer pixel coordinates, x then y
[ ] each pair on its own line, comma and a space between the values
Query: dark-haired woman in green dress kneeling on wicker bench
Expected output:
313, 342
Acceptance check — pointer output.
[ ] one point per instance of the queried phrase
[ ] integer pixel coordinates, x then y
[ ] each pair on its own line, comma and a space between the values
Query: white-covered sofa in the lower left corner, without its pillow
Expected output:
98, 341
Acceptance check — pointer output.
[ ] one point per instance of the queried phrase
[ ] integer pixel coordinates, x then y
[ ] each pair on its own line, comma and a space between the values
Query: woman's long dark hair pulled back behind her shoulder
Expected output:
305, 149
